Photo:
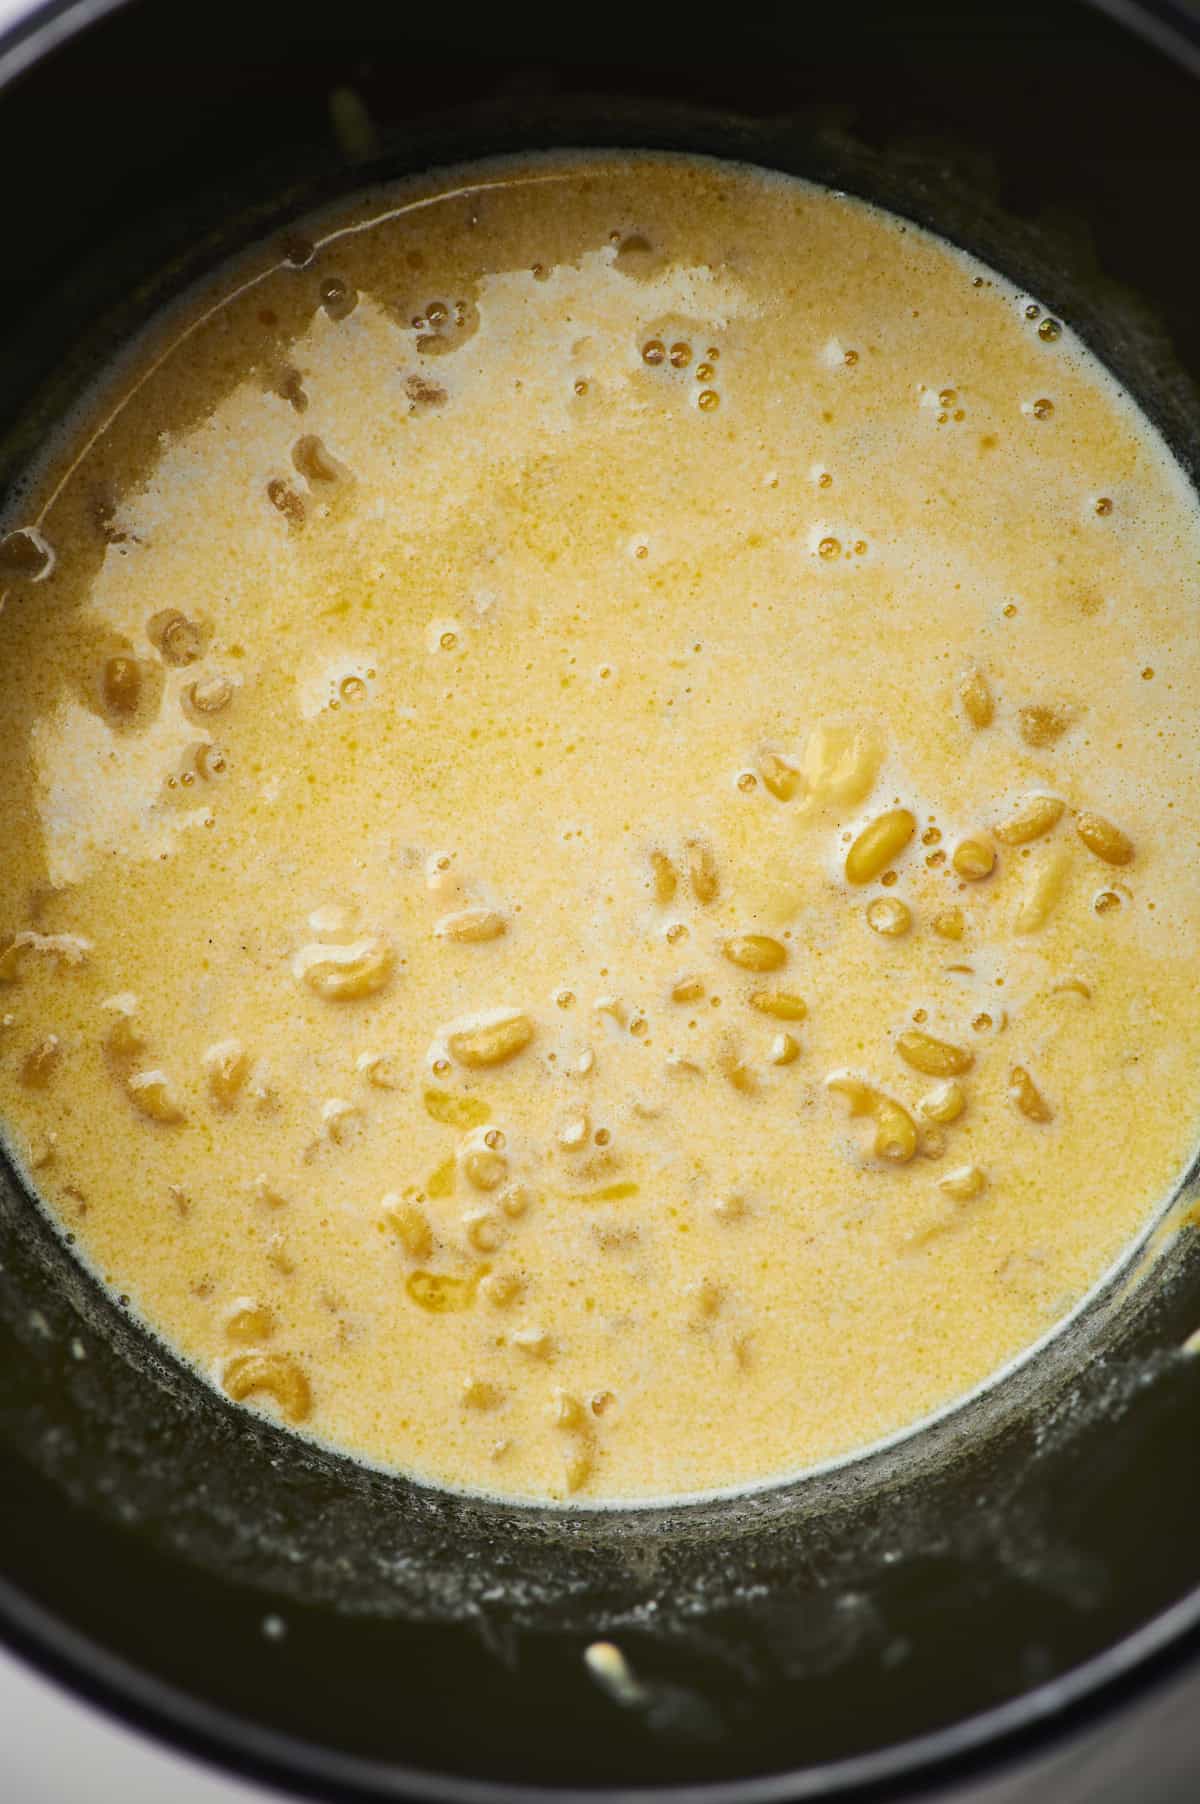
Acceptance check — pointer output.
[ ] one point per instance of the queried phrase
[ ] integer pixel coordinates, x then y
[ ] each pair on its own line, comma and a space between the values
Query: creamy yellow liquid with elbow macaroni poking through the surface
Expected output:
474, 649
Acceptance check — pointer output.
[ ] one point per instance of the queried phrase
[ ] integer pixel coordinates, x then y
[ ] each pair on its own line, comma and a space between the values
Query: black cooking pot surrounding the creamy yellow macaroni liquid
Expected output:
1028, 1565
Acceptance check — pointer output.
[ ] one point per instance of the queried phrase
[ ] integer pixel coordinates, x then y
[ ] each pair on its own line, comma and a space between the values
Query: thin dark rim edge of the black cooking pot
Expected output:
1167, 1646
